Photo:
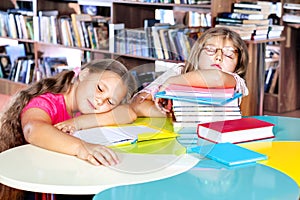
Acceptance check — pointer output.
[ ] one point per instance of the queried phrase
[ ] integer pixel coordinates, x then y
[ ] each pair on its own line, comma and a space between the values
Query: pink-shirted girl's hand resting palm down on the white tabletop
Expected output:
98, 154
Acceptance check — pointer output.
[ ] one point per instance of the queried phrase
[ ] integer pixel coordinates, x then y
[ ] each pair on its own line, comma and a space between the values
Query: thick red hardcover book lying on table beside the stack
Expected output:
235, 131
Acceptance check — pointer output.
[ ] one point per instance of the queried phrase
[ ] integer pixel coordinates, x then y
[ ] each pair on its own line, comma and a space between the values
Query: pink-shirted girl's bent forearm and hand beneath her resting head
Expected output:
122, 114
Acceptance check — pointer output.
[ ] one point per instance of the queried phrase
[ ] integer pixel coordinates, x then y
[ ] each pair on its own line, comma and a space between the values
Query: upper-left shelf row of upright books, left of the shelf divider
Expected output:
78, 30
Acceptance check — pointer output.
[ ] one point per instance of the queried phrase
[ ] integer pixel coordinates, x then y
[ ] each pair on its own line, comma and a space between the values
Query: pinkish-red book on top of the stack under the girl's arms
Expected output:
188, 91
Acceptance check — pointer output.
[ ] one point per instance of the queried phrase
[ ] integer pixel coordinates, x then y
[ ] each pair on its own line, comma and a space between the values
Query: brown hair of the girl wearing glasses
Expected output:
193, 61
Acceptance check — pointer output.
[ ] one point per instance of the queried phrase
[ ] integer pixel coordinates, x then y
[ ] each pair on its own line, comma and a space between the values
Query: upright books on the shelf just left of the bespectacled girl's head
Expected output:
161, 41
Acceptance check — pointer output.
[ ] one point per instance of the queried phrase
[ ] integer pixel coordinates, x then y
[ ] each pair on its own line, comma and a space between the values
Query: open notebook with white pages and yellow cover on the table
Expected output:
122, 135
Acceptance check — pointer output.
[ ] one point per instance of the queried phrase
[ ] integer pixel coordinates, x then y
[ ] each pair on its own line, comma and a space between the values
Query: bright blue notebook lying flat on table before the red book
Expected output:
232, 154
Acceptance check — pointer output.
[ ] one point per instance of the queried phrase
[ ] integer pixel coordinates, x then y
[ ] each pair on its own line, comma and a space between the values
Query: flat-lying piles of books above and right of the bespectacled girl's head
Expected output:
251, 20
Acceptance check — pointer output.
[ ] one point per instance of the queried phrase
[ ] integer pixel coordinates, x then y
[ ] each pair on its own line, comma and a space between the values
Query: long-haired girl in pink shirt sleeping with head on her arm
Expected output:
47, 112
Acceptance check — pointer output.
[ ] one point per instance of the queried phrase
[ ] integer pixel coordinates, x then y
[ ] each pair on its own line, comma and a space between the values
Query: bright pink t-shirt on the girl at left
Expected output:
53, 104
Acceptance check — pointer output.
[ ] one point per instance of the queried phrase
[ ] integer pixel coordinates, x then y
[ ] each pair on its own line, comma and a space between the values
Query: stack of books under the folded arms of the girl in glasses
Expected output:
194, 105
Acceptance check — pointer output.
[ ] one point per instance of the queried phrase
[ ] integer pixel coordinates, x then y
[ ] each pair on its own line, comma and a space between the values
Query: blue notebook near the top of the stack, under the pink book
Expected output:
198, 100
